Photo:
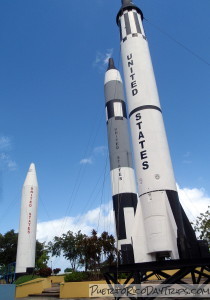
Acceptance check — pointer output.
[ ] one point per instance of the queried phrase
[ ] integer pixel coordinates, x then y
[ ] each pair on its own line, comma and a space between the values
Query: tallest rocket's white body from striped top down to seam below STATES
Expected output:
147, 127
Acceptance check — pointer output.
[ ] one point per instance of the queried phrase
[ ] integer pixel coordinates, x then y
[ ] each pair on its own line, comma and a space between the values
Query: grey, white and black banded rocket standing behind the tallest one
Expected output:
121, 170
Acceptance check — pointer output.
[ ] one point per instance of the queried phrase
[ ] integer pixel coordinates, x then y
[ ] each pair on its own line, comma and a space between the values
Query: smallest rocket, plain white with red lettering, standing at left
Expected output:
28, 223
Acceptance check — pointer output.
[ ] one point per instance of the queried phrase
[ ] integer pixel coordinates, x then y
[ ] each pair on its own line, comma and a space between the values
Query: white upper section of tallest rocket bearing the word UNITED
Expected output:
139, 75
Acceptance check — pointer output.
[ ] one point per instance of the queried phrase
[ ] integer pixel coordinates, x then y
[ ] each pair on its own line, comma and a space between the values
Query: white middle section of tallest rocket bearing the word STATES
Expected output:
151, 151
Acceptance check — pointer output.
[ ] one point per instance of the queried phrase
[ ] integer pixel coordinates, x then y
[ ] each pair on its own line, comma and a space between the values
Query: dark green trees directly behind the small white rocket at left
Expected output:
8, 248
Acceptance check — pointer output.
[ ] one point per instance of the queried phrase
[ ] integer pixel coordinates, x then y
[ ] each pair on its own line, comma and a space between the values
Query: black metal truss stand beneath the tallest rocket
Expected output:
197, 270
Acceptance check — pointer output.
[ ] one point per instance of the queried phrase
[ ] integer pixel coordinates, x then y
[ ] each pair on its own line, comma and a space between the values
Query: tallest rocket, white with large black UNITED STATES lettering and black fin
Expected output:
167, 229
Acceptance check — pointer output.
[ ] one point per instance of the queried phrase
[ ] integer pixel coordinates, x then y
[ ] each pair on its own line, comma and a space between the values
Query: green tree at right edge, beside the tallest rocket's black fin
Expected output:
202, 226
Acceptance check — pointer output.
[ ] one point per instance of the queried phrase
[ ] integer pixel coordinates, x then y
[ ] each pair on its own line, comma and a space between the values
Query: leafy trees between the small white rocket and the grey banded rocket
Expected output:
82, 250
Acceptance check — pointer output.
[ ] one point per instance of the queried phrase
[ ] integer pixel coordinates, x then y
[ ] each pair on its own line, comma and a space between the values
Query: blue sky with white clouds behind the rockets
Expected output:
53, 57
